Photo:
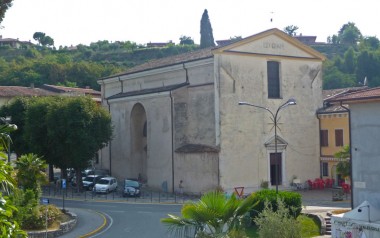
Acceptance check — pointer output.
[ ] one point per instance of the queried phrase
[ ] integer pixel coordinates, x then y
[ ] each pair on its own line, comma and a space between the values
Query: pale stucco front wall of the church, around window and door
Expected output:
244, 159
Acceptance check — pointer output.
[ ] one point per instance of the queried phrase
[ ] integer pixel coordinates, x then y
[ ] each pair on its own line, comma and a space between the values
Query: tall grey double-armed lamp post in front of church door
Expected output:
290, 102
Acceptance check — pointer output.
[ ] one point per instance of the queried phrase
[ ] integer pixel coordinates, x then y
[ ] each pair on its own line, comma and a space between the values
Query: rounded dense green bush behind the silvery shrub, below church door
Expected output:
292, 201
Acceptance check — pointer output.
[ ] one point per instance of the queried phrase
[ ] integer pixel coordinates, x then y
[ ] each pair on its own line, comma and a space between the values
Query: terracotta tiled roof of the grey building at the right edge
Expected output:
362, 95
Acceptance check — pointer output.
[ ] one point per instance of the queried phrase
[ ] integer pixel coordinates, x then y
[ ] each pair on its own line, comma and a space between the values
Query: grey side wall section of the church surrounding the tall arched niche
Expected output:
159, 143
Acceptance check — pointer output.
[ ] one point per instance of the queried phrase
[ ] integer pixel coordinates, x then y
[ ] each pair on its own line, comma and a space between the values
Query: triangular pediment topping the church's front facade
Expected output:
273, 42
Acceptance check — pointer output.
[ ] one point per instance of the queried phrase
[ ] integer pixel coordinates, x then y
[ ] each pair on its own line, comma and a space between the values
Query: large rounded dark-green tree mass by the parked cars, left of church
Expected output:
67, 131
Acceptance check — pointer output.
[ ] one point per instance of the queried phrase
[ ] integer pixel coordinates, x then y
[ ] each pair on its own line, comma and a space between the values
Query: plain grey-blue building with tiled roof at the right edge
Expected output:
364, 110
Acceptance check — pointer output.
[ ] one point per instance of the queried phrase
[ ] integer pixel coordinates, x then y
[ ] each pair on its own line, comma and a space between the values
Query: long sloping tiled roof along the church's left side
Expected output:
172, 60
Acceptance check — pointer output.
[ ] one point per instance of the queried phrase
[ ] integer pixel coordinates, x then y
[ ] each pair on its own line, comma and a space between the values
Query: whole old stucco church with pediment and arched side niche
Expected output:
178, 118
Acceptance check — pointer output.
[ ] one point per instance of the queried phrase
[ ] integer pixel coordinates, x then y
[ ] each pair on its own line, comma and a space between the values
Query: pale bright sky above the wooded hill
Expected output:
73, 22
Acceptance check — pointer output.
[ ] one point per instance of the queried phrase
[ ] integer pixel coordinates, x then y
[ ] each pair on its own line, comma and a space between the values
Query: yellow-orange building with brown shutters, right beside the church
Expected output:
334, 132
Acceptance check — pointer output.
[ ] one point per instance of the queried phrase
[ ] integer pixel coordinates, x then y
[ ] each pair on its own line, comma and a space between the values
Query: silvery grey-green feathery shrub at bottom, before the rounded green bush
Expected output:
279, 223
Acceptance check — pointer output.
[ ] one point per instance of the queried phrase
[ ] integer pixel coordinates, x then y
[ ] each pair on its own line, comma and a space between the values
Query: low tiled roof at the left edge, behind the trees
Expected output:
15, 91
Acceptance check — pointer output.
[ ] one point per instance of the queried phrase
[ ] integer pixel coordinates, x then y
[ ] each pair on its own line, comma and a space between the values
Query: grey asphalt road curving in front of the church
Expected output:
118, 219
